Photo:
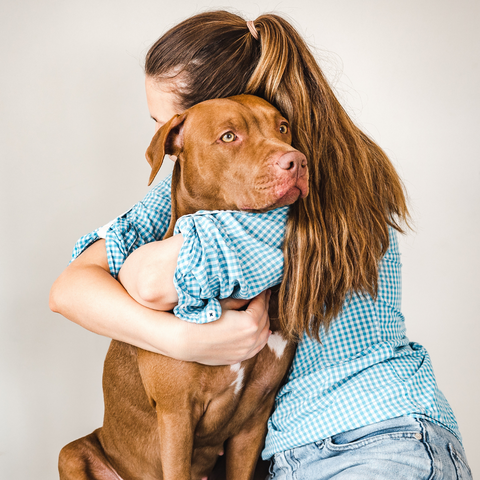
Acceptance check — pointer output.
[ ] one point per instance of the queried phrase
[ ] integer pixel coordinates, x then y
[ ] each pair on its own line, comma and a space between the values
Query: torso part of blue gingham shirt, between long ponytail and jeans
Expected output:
365, 370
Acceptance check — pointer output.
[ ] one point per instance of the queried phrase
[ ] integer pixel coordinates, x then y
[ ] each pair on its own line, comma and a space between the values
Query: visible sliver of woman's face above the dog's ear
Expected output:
161, 101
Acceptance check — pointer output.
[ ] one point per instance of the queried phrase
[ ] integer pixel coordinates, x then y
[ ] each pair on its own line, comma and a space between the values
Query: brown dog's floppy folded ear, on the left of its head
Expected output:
168, 140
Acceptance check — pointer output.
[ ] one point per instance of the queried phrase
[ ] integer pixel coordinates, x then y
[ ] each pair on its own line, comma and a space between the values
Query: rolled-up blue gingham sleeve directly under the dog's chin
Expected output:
226, 254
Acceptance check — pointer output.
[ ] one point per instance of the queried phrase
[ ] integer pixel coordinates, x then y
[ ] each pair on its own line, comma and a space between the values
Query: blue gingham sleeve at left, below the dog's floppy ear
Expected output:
147, 221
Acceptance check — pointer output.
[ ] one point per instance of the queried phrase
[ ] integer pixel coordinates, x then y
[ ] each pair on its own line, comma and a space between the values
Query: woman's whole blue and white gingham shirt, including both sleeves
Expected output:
363, 371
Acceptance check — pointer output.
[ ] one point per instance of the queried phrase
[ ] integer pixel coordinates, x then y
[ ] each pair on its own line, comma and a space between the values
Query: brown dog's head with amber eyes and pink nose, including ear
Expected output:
232, 154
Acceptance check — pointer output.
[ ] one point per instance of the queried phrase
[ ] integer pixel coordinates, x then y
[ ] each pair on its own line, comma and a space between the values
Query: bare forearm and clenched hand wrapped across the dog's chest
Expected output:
88, 295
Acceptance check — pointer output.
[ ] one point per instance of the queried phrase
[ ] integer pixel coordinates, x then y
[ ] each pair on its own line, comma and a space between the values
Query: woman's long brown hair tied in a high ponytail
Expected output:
335, 236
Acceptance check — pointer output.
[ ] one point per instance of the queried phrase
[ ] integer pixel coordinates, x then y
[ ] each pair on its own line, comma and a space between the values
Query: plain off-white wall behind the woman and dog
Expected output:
73, 132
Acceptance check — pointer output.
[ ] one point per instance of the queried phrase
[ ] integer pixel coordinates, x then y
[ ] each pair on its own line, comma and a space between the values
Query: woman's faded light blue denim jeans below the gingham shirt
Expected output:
402, 448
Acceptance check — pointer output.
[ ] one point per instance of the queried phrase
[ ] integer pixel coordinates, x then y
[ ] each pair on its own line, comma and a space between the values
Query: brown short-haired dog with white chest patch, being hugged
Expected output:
170, 420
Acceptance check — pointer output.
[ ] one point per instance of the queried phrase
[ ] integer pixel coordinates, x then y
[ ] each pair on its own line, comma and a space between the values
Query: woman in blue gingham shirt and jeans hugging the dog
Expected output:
361, 400
